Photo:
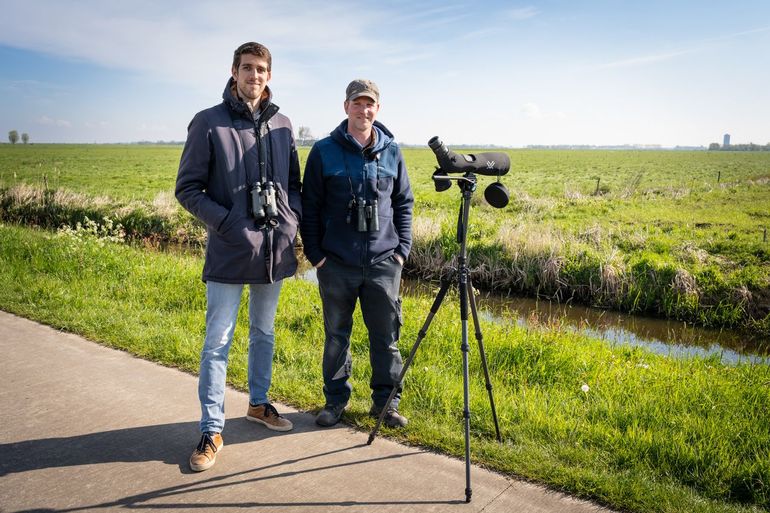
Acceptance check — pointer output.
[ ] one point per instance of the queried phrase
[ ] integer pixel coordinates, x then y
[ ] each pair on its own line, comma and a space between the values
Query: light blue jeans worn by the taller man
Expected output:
224, 300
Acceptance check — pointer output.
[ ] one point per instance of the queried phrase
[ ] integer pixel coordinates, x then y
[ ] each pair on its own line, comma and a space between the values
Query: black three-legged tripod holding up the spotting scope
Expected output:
461, 274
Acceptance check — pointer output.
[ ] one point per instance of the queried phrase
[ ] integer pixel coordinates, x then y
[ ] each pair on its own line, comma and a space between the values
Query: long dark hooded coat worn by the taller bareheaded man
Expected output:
227, 150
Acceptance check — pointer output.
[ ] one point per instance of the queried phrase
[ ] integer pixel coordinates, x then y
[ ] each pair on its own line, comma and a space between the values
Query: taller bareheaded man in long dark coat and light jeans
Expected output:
239, 175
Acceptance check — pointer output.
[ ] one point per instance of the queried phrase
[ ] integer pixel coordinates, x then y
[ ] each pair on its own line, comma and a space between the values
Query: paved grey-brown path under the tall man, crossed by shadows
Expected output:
88, 428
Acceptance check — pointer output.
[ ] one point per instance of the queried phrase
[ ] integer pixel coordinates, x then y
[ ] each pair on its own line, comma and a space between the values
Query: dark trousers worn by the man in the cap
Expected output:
377, 288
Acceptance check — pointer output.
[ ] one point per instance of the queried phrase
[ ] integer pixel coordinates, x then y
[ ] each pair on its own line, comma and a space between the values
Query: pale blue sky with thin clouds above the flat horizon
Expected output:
504, 73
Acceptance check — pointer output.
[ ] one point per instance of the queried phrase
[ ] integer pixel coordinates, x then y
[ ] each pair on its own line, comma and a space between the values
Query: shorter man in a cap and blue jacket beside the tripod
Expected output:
357, 231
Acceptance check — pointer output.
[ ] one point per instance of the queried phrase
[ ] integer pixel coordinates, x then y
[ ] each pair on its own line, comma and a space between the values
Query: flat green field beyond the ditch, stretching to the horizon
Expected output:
680, 235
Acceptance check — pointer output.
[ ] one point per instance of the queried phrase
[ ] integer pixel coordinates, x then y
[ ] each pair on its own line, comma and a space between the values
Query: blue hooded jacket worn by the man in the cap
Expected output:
338, 170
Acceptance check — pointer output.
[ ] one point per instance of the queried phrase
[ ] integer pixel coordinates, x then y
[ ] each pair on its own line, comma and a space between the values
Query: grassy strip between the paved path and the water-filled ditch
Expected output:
646, 433
